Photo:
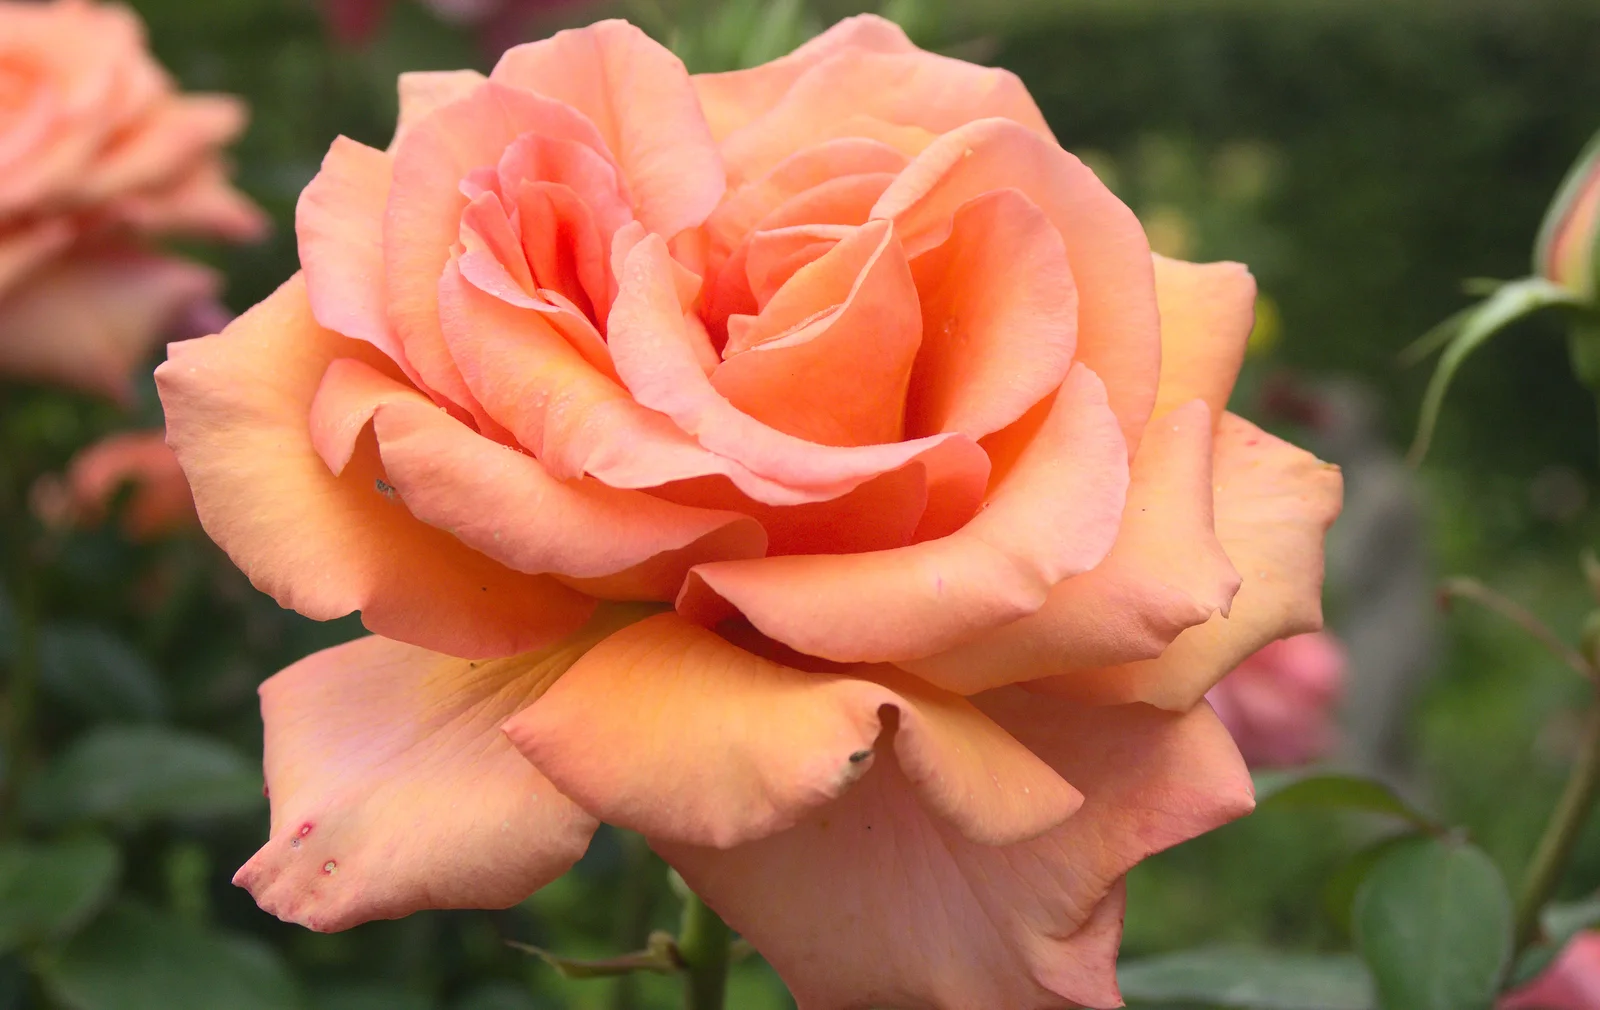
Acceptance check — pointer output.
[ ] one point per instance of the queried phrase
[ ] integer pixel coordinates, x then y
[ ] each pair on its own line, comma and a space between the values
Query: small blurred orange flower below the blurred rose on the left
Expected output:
159, 502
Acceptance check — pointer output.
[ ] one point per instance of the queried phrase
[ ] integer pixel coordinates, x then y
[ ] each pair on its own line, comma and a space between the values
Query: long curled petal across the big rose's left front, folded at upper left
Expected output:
505, 503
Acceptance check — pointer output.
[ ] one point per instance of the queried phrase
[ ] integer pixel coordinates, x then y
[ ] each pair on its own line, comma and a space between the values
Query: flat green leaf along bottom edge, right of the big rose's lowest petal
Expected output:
1250, 980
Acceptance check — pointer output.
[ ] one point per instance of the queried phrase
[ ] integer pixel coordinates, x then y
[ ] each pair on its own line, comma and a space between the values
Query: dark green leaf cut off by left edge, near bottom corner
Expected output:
50, 891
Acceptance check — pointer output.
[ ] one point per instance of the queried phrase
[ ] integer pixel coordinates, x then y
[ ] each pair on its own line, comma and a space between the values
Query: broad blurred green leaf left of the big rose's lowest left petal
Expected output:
130, 776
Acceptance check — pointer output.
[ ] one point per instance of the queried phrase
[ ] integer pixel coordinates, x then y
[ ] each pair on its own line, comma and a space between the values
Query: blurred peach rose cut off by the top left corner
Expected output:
97, 153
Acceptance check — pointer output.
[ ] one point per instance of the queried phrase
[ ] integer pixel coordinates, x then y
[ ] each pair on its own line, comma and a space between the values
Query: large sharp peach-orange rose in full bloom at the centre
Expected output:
809, 468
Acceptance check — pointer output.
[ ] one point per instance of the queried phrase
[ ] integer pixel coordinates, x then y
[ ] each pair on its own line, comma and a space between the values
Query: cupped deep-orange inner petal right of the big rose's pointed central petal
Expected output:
999, 319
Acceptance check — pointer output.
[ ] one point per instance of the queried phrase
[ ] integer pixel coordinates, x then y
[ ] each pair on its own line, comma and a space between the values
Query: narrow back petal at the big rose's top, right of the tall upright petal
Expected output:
738, 97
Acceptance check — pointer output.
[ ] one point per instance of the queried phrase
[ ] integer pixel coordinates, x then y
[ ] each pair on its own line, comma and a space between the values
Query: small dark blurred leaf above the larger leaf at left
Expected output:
98, 675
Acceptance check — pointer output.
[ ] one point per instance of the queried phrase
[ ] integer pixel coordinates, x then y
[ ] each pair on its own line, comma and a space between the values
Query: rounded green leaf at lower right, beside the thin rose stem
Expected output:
1434, 924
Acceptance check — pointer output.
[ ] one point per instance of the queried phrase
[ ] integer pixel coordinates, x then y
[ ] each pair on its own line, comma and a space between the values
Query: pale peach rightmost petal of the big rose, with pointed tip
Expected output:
1274, 505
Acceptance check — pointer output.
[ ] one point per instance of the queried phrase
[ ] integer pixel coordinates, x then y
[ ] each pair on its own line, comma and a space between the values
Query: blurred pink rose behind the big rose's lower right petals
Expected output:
1279, 705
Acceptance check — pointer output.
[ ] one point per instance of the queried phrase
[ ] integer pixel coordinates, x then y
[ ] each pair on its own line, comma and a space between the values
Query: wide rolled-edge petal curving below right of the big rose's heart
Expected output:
1054, 516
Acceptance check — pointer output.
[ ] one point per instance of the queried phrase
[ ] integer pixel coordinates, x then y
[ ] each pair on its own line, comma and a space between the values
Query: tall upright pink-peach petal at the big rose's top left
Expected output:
641, 98
